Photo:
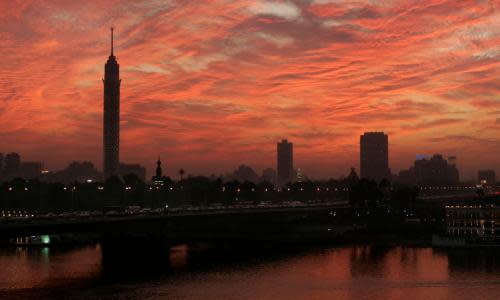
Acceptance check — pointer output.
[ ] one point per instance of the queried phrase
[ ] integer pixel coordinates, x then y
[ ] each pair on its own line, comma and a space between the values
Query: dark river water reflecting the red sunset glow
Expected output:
349, 272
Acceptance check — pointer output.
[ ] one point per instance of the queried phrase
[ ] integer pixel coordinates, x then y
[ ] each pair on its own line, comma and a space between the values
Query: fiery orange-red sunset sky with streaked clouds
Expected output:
209, 85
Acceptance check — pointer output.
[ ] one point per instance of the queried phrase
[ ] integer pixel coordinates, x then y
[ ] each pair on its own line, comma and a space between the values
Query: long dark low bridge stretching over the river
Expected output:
211, 224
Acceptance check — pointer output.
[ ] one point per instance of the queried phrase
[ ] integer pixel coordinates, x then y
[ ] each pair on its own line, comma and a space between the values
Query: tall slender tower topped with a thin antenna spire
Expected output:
111, 128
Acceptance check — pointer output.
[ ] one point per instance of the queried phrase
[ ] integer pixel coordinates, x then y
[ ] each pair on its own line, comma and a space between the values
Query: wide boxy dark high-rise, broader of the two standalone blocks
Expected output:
374, 156
